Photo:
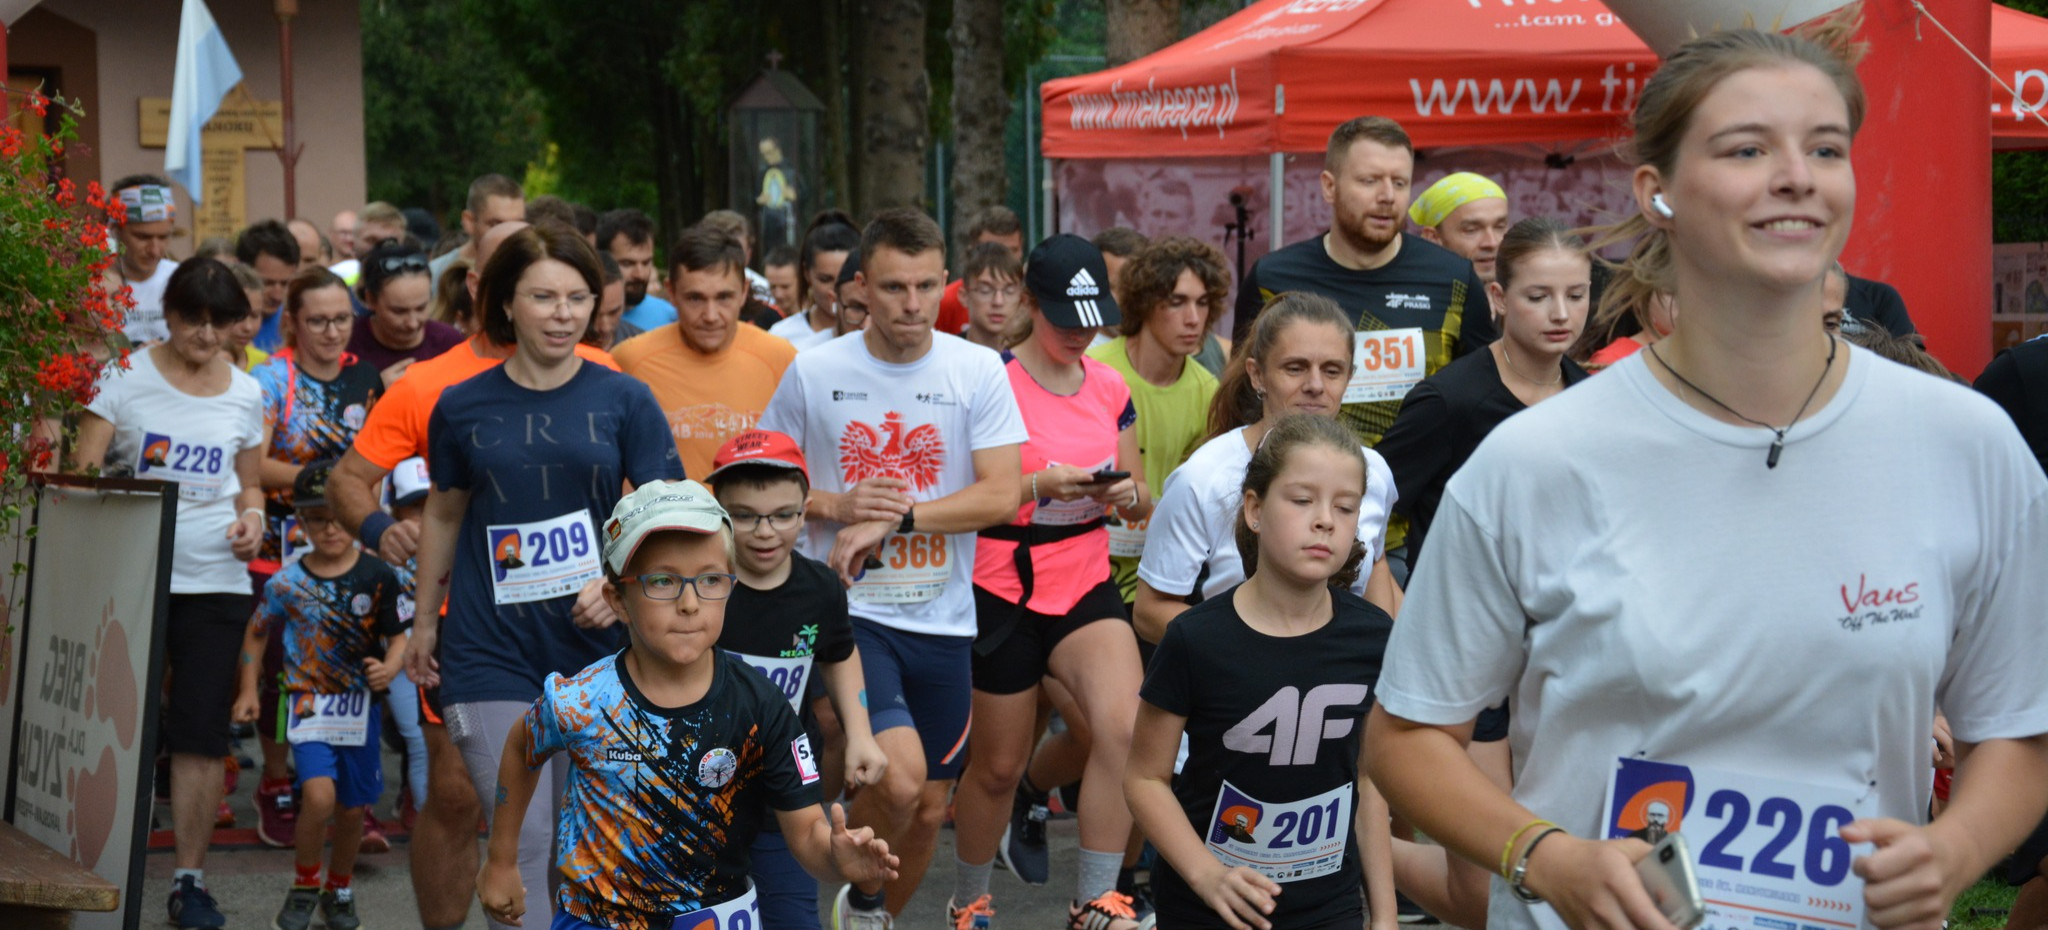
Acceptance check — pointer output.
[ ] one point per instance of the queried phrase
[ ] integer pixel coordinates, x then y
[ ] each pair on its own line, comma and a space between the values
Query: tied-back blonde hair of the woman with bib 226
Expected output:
1666, 112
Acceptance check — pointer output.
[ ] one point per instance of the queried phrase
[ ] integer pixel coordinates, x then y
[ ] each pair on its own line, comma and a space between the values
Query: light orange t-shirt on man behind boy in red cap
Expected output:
708, 398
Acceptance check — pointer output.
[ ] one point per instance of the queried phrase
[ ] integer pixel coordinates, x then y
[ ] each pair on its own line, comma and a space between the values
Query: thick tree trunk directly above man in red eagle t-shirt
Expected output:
896, 101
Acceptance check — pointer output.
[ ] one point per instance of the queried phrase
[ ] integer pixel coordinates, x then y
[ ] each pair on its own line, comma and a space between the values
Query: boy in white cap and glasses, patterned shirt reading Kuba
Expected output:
677, 749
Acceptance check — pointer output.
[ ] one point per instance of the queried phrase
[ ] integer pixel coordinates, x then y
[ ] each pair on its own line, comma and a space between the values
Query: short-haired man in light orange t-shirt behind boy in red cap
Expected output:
710, 374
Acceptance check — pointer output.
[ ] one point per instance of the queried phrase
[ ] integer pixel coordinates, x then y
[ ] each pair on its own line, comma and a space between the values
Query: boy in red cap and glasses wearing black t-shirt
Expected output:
800, 636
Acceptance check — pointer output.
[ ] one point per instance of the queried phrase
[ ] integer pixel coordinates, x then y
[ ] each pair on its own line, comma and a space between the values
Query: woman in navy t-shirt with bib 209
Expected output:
527, 460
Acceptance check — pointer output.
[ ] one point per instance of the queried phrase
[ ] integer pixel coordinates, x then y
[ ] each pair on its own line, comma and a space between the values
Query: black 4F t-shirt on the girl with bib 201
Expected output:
1246, 697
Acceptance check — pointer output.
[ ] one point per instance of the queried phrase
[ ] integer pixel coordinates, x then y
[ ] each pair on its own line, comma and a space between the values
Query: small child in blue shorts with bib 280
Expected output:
339, 616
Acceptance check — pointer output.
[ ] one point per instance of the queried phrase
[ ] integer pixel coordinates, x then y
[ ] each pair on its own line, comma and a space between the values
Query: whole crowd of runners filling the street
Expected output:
703, 585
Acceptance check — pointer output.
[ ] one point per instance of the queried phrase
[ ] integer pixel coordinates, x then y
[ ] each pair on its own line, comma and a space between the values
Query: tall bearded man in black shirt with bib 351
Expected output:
1416, 304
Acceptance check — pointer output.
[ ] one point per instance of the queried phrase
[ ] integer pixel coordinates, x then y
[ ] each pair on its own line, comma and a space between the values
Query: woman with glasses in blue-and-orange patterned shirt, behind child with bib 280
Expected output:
314, 400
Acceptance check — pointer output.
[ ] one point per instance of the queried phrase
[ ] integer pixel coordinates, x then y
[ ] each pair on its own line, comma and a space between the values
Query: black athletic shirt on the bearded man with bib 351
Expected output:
1426, 286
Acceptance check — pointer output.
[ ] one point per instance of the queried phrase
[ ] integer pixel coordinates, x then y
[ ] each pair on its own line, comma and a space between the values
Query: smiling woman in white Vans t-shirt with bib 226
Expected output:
1662, 570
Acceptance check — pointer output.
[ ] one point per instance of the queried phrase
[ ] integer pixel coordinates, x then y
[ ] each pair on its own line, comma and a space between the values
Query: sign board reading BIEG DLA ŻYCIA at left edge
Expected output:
91, 671
